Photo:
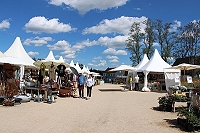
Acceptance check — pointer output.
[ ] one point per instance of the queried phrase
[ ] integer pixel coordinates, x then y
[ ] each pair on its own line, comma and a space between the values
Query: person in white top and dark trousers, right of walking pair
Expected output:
89, 83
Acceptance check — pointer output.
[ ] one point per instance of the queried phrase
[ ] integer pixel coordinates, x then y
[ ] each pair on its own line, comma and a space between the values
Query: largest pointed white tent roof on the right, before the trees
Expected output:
155, 64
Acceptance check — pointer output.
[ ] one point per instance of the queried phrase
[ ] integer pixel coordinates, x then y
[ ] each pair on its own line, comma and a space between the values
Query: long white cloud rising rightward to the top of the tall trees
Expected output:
118, 25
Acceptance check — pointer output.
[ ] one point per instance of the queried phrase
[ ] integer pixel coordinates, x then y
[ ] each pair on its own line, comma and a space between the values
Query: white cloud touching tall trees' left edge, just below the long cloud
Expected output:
116, 42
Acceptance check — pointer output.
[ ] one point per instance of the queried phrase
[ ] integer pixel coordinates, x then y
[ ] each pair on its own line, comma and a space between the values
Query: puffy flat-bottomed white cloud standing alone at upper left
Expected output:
40, 24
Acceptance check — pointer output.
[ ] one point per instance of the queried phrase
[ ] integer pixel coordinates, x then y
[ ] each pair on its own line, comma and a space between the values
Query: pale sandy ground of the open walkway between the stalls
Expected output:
110, 110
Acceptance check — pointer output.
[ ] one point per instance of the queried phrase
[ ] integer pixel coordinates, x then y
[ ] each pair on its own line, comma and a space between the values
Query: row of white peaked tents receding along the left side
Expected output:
17, 55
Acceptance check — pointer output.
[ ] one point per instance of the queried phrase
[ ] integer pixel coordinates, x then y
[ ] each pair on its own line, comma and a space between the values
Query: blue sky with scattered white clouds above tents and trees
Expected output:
90, 32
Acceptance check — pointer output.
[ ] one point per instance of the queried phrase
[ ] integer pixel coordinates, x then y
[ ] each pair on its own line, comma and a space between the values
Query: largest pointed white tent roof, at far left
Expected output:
17, 50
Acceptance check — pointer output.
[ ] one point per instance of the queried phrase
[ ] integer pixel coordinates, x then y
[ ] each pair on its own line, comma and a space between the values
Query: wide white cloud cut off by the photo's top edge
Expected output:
84, 6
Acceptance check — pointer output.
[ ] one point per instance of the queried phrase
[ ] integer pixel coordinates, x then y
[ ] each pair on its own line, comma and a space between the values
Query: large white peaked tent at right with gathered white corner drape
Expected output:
155, 64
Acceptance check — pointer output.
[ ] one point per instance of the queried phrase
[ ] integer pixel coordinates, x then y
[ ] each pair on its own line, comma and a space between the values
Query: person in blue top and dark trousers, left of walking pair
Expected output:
81, 83
